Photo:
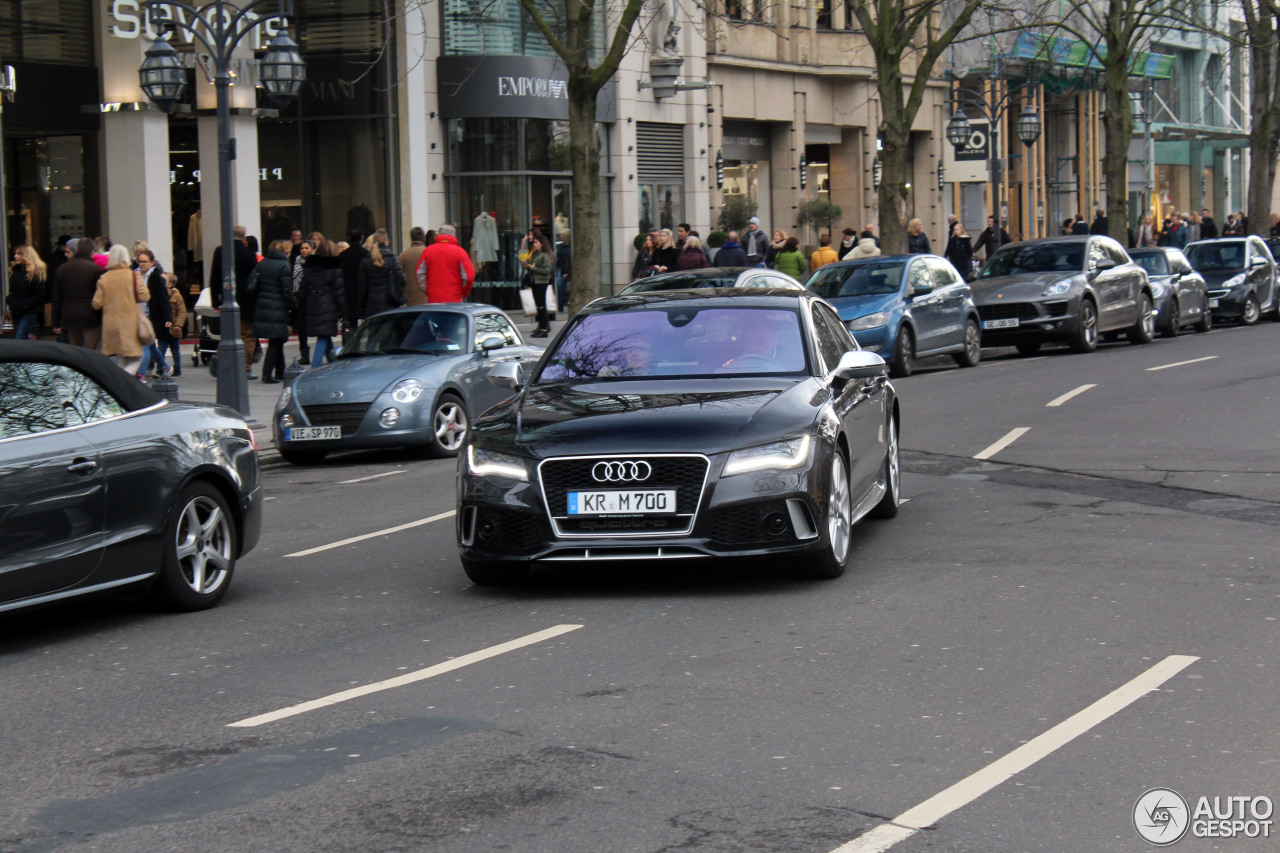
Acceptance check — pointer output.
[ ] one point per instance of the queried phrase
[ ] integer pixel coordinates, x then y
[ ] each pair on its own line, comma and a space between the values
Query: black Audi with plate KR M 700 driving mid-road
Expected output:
683, 425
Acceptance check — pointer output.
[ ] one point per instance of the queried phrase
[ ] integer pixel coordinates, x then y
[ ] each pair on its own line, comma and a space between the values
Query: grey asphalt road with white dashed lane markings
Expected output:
1122, 546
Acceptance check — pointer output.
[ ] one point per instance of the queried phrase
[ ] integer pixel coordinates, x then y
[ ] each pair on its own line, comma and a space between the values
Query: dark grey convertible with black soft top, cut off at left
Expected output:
104, 485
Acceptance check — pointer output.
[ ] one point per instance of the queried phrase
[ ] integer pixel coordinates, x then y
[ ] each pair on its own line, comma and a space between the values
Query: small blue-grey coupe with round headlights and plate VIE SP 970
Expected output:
409, 378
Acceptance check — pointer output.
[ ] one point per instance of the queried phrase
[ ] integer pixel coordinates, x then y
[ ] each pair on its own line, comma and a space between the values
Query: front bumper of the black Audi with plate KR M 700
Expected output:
757, 514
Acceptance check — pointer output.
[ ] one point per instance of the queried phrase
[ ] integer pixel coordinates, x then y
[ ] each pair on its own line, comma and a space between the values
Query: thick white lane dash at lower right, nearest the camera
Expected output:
1004, 769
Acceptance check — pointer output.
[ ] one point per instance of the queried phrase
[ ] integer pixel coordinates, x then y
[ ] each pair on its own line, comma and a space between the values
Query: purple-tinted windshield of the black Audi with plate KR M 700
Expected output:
679, 343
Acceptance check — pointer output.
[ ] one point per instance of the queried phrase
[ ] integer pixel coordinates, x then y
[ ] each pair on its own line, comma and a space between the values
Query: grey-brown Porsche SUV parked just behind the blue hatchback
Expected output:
1066, 290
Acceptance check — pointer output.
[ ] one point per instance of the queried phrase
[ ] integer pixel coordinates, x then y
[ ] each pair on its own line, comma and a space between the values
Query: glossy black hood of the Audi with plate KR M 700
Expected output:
687, 416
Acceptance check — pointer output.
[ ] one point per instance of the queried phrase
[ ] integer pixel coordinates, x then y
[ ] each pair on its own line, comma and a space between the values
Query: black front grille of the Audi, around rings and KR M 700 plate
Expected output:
684, 473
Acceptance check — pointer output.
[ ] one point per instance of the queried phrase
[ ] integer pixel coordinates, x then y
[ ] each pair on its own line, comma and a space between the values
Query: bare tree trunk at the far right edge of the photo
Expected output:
1263, 29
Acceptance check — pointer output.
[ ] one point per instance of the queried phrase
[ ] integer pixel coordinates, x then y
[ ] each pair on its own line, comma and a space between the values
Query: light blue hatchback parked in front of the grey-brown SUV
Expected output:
904, 308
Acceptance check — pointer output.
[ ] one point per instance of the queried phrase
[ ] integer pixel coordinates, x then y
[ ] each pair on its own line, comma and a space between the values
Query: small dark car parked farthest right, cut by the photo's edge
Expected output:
1241, 276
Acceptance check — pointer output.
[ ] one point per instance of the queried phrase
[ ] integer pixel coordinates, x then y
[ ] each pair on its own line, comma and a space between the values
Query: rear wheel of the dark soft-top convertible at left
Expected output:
199, 551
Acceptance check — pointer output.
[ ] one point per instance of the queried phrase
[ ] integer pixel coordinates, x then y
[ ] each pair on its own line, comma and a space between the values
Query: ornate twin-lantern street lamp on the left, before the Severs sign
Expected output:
221, 28
